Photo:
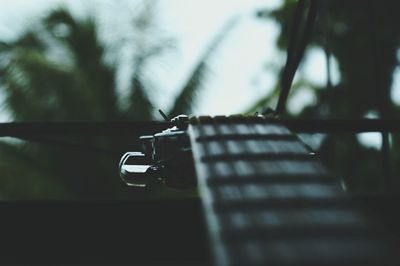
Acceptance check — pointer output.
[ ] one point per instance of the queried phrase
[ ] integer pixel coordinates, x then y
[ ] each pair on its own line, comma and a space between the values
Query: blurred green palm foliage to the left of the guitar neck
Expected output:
56, 72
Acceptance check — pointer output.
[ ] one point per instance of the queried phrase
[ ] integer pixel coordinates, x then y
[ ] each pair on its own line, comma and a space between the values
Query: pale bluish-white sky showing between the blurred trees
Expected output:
192, 24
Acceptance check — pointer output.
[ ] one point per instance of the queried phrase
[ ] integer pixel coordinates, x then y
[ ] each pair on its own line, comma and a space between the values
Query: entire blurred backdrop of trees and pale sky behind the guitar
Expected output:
103, 60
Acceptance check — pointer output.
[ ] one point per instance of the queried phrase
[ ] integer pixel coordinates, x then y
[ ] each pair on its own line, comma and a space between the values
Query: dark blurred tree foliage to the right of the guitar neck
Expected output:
363, 36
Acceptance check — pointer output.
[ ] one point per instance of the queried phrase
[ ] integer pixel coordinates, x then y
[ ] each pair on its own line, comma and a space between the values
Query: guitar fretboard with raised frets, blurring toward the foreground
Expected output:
269, 201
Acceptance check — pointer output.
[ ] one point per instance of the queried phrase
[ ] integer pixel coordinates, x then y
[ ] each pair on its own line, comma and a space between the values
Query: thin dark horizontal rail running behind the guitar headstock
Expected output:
82, 128
